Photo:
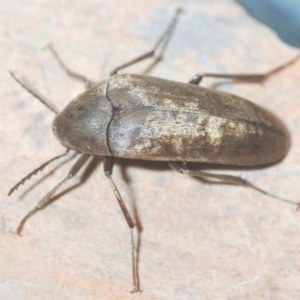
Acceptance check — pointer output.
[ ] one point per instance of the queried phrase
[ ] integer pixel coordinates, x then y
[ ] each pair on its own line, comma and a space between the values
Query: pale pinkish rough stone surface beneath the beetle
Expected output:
199, 241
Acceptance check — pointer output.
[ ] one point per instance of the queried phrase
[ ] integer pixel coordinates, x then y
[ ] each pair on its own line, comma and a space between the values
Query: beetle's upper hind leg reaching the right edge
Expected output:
260, 78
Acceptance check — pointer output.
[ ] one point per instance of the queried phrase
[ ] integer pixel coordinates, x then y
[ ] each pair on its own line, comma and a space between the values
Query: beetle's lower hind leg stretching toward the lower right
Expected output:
223, 179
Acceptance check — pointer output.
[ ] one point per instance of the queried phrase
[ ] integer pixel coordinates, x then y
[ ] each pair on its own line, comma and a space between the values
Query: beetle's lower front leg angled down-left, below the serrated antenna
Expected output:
47, 198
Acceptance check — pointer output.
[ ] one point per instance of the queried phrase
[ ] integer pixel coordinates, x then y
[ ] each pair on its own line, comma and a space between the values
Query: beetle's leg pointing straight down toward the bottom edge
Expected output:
108, 167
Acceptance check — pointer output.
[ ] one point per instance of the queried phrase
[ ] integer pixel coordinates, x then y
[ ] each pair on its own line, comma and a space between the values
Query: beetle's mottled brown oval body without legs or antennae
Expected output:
149, 118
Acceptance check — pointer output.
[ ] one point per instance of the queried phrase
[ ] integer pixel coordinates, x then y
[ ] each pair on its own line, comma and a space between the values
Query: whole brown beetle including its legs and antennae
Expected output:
141, 117
